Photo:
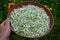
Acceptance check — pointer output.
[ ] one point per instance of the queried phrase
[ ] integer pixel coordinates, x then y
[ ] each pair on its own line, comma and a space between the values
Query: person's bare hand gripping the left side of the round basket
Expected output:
5, 30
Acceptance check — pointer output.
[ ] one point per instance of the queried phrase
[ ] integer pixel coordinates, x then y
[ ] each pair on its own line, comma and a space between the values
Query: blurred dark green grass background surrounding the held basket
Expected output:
54, 4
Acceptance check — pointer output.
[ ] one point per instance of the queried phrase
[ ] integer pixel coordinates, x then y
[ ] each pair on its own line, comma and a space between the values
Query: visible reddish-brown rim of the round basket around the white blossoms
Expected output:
39, 5
